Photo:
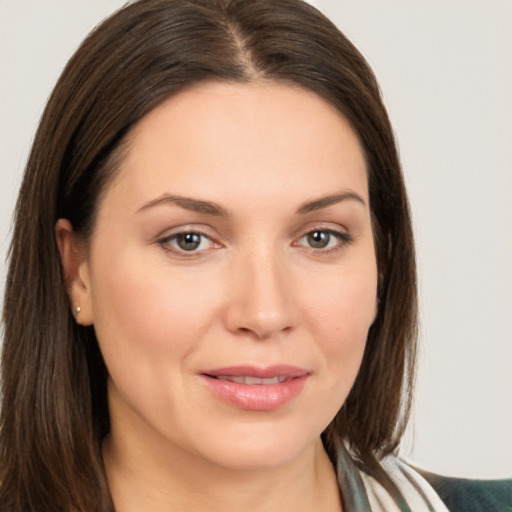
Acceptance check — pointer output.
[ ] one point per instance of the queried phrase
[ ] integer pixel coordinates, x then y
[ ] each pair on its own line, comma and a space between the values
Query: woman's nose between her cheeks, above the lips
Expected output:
262, 301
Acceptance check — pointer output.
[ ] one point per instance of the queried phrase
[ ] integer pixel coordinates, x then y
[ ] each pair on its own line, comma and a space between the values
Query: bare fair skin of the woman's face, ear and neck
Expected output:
255, 291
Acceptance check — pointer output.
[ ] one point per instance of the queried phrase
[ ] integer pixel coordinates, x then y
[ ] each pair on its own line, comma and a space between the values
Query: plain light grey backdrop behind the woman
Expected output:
445, 68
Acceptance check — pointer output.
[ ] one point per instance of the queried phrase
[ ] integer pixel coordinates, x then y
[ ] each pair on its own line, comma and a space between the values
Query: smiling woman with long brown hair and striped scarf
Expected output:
216, 307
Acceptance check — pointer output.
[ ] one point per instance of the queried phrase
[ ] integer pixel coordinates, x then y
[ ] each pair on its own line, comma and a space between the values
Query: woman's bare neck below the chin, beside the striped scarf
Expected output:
176, 480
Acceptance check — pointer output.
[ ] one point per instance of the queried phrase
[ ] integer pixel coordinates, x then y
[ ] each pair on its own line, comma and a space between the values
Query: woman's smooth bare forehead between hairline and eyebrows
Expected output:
256, 138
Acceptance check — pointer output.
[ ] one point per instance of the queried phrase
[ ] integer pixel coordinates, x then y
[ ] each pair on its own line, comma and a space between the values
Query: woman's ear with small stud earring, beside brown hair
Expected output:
76, 271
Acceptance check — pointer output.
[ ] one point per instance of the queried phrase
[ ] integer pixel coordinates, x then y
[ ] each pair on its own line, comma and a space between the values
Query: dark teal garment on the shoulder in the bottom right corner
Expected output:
467, 495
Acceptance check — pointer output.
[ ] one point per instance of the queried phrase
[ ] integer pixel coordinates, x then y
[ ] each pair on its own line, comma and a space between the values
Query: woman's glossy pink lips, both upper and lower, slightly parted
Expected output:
256, 389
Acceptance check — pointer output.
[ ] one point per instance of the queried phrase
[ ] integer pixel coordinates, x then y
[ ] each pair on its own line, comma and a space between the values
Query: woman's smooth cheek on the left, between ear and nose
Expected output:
145, 314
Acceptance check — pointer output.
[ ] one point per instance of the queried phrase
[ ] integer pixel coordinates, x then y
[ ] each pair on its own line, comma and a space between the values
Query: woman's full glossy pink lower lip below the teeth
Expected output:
258, 397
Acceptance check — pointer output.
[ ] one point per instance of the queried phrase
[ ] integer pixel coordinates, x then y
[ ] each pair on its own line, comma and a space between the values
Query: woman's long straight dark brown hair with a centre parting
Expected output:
55, 415
